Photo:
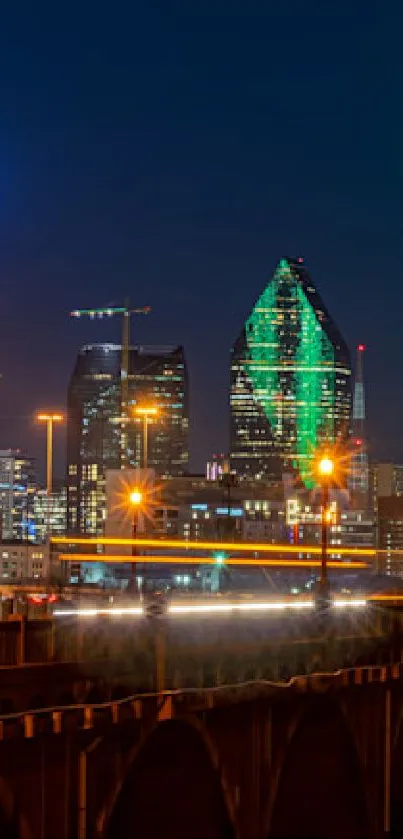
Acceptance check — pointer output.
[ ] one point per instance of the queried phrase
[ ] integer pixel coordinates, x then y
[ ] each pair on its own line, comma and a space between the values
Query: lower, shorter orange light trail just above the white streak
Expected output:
210, 560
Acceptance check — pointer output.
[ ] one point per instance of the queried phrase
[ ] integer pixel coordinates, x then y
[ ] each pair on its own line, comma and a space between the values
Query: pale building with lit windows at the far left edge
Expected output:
17, 489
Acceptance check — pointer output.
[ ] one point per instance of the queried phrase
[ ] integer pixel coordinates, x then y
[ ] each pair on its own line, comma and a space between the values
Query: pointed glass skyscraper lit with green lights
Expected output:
290, 379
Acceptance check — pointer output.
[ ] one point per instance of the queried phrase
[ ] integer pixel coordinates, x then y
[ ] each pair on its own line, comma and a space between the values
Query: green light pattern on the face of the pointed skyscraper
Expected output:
291, 365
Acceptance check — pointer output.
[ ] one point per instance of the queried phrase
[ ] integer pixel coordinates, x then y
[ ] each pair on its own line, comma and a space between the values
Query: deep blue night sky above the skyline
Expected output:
173, 152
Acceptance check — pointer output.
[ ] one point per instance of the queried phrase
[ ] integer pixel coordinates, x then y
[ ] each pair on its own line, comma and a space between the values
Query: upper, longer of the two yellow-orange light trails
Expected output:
235, 547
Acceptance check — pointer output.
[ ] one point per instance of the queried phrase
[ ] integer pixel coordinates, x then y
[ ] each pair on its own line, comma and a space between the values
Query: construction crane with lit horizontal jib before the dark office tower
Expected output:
125, 312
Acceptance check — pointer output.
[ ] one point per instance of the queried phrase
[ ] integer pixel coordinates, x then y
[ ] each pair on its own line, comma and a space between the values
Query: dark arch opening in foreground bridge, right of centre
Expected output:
321, 771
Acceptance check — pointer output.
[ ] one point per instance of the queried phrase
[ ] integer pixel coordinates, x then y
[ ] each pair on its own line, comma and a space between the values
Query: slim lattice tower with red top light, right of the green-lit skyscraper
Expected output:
359, 472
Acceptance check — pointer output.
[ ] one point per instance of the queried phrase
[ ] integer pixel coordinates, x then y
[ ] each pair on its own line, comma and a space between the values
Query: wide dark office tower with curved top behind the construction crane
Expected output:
157, 376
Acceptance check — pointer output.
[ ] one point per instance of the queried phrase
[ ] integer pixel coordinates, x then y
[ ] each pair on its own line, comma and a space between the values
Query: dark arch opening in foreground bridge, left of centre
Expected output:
171, 788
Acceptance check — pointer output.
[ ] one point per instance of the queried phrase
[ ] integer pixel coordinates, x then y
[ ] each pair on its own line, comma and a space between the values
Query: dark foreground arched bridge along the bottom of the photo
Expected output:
319, 756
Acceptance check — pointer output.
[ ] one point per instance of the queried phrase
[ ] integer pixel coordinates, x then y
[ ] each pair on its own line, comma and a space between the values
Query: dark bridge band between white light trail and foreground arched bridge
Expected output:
97, 655
